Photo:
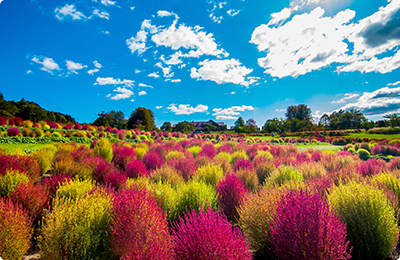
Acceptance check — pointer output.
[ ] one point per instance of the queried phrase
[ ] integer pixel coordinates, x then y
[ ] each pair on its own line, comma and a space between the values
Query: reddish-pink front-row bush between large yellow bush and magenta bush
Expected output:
139, 228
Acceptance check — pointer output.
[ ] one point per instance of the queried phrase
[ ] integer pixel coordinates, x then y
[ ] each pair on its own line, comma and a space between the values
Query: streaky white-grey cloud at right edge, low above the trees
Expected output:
379, 102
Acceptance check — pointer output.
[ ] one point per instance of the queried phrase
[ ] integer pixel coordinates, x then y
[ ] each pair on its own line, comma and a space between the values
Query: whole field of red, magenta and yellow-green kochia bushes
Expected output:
198, 197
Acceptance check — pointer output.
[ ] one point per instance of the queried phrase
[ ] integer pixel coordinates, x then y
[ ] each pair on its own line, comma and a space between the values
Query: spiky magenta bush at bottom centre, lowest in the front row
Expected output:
209, 235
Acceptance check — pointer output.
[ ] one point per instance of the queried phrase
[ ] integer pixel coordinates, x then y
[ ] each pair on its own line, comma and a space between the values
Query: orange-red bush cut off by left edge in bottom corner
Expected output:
15, 231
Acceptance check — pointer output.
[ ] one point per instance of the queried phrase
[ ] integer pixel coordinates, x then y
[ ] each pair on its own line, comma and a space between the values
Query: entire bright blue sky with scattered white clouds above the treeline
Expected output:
203, 59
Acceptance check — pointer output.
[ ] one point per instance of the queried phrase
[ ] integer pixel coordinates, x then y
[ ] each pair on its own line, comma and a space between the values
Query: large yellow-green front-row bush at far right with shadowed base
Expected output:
369, 218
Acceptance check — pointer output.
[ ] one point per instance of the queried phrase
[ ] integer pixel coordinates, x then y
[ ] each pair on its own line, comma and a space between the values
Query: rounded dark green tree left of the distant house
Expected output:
141, 118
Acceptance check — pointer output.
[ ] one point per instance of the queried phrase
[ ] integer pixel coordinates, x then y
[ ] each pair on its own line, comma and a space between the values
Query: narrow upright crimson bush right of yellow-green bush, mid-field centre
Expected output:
231, 193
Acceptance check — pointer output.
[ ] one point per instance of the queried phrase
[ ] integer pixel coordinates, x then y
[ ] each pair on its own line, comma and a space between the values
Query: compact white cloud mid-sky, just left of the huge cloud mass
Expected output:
223, 71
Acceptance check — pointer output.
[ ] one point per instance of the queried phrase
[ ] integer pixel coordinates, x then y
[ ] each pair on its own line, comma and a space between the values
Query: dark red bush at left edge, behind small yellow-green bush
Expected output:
24, 163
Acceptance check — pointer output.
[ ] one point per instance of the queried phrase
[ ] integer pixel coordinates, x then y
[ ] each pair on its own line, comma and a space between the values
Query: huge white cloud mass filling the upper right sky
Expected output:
311, 41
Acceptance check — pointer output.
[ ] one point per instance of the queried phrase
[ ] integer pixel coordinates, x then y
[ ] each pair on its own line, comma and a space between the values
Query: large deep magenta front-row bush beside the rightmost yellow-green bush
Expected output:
305, 227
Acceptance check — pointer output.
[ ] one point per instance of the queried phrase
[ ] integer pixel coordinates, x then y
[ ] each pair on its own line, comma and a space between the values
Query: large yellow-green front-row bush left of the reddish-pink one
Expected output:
77, 229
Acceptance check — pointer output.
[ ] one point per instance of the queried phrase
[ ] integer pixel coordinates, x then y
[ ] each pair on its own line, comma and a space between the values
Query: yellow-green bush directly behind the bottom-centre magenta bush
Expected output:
194, 195
